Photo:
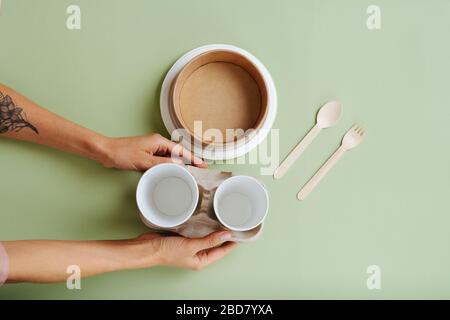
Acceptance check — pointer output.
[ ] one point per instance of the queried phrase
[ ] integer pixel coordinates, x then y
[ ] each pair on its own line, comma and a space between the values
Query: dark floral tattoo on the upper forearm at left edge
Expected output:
12, 117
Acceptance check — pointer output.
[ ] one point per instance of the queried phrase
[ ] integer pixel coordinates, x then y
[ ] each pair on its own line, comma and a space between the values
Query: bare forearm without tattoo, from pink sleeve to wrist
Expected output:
47, 261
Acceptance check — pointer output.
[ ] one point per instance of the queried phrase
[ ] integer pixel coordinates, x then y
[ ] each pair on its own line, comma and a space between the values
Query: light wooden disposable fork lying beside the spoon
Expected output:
351, 139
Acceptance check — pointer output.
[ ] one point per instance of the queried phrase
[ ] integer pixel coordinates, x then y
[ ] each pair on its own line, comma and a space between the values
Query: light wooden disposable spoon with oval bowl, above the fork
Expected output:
327, 116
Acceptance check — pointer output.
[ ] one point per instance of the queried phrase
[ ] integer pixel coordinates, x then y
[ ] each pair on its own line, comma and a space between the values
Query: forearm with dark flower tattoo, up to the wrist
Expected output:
23, 119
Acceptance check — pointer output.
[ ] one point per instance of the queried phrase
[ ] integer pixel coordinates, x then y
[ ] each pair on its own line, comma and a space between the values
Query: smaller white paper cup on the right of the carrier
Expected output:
241, 203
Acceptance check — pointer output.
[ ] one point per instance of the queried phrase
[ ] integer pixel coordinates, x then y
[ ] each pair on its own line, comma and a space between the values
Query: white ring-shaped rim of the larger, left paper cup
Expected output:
195, 199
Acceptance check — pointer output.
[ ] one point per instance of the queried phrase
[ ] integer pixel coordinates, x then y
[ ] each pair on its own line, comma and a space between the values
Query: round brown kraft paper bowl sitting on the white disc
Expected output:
222, 90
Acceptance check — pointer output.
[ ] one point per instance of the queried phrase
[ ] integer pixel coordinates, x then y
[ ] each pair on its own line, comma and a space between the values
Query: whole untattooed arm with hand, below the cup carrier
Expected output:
47, 260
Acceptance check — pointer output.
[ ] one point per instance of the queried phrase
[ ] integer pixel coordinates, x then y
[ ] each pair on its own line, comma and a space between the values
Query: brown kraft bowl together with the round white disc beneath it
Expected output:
219, 101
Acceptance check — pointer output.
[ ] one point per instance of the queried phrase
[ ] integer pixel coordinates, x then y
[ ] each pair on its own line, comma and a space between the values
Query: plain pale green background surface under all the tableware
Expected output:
385, 203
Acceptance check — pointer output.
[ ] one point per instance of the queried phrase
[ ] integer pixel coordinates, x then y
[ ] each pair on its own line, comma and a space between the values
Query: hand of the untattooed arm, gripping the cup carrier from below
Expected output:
177, 251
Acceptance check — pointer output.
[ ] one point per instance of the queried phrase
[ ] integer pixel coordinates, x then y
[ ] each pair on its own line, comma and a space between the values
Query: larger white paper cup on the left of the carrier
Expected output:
167, 195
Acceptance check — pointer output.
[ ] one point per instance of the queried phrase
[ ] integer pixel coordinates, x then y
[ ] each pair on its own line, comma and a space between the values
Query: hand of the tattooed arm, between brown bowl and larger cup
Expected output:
143, 152
